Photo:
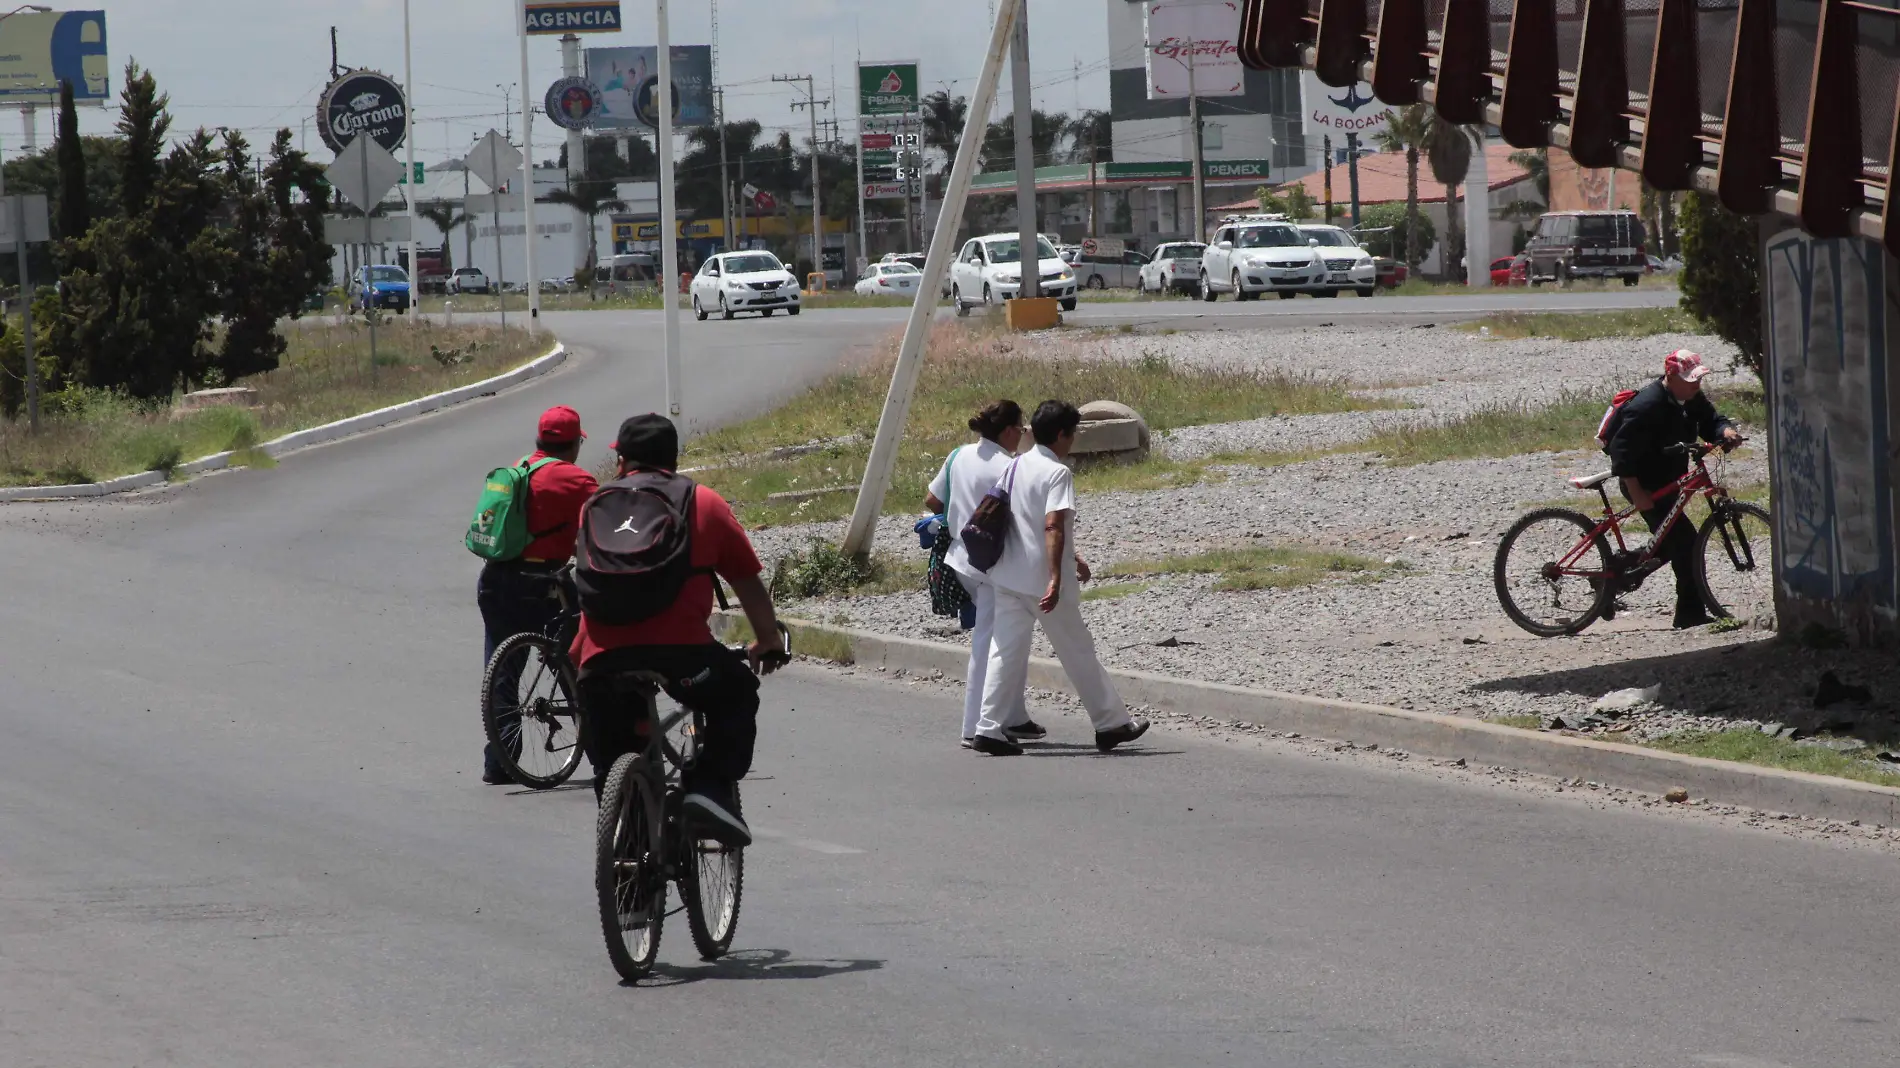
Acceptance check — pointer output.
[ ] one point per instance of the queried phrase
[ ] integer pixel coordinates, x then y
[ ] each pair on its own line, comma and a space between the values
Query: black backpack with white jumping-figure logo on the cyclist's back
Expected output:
636, 546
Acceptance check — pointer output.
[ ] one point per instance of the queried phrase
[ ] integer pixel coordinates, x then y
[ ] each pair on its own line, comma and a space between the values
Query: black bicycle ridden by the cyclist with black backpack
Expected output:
641, 843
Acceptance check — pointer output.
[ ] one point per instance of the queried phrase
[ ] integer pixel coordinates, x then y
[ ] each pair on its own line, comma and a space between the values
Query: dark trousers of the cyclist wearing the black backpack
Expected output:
710, 679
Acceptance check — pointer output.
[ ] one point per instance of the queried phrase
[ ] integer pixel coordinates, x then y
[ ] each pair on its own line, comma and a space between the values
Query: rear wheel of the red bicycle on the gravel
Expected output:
1534, 573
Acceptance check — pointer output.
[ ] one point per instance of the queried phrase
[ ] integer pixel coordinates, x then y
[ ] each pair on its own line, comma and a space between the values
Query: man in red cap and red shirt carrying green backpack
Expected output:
516, 596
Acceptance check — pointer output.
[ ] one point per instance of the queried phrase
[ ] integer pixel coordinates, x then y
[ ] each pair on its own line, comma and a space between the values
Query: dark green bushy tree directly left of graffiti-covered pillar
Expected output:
1722, 275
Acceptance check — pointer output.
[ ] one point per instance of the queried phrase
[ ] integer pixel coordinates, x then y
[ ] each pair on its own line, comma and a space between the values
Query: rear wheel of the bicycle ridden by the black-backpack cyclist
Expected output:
630, 877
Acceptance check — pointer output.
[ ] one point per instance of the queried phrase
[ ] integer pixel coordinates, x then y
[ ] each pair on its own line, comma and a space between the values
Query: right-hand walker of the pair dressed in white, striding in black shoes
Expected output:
1036, 581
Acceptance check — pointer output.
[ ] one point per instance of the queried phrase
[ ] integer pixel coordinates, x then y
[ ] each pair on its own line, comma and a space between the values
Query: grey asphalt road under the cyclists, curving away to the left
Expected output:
242, 824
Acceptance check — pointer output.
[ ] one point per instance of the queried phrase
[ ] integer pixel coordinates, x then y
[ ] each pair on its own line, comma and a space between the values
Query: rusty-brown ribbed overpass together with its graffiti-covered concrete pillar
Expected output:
1783, 109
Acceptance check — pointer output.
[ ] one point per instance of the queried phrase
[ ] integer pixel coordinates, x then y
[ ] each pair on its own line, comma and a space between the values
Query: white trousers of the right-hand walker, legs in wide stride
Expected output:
1010, 662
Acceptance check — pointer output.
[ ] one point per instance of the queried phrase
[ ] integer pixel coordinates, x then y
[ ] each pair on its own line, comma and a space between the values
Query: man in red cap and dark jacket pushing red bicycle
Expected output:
1669, 411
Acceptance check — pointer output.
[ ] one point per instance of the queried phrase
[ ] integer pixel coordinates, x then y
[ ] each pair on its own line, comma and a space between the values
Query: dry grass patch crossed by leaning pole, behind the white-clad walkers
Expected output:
970, 366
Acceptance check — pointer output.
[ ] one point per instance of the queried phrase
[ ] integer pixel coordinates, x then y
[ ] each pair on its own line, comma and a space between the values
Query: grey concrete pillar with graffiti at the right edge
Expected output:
1829, 305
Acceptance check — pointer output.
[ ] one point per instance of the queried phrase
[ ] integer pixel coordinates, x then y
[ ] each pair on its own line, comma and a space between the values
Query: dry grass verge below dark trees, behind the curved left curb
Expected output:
326, 375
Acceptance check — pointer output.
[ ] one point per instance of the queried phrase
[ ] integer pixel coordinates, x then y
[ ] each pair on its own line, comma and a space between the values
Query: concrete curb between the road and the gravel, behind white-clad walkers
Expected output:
1428, 734
